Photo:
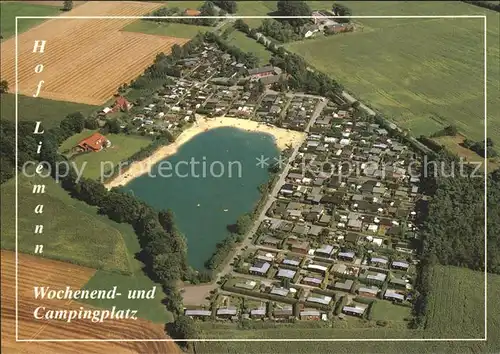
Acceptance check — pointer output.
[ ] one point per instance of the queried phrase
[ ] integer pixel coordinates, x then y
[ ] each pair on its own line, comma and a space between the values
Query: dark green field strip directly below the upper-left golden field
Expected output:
50, 112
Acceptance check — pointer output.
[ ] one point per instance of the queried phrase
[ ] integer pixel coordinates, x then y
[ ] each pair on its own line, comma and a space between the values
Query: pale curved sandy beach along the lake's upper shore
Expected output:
282, 138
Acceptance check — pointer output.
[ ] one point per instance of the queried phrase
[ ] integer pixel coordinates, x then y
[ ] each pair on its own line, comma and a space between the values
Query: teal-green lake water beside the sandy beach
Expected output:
199, 203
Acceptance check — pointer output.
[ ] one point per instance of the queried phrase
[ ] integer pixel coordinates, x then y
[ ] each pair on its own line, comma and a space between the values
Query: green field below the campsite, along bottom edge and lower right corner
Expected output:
455, 311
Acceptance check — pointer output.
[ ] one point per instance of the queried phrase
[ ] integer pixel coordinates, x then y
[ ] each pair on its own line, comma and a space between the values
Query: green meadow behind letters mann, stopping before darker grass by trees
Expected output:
73, 231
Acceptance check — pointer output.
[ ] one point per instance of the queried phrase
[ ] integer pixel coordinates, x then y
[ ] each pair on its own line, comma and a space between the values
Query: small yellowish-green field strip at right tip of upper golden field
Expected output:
179, 30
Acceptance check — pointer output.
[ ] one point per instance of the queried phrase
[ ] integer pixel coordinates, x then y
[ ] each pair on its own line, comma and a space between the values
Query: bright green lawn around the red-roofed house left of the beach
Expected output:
122, 147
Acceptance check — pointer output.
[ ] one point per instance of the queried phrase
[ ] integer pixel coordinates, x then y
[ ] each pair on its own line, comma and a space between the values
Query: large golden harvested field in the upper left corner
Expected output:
85, 60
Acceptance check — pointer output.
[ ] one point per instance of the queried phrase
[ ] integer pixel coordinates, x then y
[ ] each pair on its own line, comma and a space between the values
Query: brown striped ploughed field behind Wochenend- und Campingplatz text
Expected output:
37, 271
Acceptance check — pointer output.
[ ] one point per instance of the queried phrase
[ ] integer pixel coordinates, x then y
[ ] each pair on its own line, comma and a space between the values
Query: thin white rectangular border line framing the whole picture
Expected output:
485, 78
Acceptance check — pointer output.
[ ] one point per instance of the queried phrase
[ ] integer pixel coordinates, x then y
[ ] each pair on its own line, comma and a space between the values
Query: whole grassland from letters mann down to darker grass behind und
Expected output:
75, 232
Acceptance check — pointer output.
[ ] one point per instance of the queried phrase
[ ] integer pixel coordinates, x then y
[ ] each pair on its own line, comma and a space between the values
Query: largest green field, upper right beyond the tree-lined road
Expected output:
422, 73
